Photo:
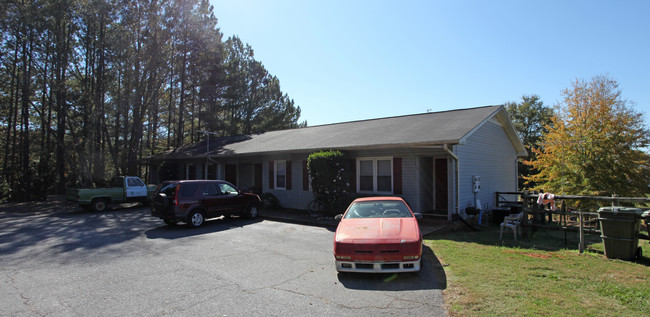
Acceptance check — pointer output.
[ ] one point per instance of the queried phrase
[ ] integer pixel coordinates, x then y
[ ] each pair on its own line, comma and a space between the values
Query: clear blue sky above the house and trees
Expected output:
351, 60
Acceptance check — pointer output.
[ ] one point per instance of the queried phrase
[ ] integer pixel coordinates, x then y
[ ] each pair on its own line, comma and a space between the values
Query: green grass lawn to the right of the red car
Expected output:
538, 275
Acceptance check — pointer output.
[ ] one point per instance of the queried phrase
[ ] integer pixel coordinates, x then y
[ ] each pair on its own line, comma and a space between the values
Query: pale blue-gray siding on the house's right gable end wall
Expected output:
488, 153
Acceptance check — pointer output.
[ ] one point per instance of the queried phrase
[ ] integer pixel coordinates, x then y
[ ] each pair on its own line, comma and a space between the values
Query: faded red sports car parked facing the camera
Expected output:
378, 235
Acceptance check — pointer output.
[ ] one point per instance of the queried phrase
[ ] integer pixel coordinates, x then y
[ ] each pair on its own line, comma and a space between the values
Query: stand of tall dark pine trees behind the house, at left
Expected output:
88, 88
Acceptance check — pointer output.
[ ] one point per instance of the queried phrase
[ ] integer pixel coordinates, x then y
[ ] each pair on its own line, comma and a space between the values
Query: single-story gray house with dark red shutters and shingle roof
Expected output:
432, 160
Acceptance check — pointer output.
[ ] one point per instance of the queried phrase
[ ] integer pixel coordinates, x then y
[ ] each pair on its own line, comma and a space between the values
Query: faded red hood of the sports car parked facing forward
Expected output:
390, 230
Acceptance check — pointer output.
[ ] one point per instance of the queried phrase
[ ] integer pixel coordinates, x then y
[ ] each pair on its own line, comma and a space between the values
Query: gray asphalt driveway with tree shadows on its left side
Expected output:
59, 262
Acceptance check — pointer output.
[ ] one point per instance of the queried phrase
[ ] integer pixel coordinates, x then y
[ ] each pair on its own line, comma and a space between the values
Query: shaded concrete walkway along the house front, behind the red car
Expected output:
302, 217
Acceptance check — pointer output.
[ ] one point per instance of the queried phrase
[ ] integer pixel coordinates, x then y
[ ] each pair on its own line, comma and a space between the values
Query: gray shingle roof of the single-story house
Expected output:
446, 127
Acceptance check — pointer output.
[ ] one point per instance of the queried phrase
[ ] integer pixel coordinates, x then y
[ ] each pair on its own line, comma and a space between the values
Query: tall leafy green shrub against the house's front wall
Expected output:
330, 180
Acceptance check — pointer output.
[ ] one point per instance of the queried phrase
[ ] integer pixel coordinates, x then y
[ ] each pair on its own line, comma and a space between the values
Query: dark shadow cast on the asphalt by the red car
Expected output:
431, 276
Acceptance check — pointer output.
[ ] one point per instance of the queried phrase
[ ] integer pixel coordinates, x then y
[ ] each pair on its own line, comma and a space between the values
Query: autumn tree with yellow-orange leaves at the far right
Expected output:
595, 144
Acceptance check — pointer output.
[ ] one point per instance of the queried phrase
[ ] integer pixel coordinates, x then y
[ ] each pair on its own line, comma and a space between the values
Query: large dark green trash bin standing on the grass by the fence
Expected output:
619, 227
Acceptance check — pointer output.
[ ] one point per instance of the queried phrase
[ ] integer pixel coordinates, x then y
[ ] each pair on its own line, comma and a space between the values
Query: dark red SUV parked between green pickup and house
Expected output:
194, 201
